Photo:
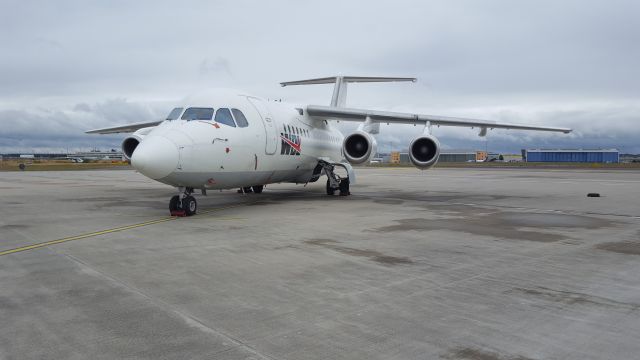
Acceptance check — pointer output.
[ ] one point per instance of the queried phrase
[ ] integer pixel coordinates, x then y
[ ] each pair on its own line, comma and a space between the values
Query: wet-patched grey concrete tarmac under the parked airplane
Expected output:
443, 264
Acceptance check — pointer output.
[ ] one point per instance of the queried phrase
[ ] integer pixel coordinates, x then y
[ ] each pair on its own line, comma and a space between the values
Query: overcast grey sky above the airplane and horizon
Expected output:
69, 66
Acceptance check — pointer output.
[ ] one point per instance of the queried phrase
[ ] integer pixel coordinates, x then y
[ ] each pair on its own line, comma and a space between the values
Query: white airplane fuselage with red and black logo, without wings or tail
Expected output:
279, 144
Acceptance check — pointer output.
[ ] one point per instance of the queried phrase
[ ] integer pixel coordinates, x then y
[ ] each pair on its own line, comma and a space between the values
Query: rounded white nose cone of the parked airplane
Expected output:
156, 157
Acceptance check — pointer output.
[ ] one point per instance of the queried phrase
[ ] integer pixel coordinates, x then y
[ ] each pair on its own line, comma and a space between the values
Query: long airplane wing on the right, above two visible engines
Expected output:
360, 115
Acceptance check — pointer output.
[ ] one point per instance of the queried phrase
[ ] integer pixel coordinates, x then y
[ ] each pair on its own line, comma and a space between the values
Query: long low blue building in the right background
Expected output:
572, 155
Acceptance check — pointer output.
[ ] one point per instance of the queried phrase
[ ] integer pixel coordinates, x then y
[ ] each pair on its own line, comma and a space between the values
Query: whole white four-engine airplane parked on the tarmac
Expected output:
233, 140
